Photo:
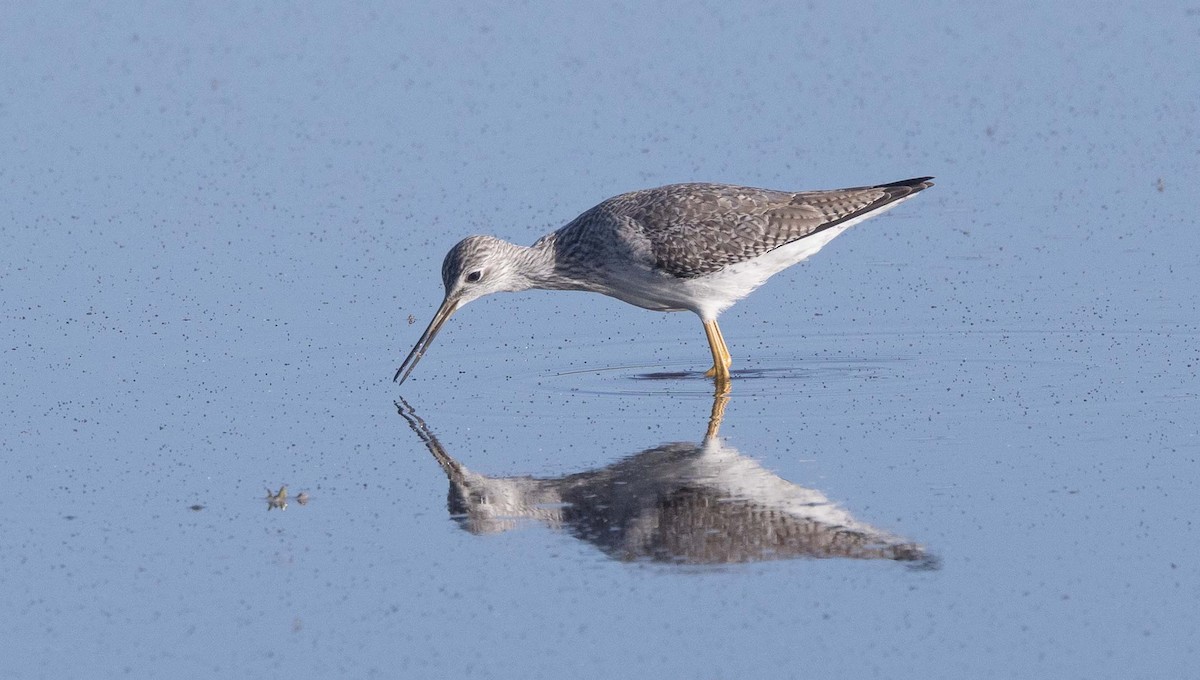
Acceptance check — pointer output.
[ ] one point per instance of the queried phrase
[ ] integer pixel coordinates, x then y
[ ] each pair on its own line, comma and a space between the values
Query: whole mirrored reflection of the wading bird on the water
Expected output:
677, 503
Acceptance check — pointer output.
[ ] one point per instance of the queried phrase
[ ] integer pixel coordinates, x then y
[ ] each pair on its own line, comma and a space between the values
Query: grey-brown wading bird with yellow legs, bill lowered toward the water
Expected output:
685, 248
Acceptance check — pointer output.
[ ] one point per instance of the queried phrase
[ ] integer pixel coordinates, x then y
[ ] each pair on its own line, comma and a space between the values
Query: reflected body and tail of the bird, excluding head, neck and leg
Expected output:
712, 506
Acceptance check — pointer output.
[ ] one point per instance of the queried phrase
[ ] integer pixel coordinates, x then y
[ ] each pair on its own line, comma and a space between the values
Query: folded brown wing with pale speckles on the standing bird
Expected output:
697, 230
